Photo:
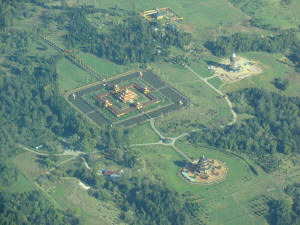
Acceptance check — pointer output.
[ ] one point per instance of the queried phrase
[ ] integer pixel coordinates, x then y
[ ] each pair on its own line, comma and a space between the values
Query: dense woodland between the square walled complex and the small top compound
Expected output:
132, 40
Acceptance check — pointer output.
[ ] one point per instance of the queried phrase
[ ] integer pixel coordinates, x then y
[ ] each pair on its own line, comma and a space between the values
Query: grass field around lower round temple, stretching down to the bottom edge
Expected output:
224, 203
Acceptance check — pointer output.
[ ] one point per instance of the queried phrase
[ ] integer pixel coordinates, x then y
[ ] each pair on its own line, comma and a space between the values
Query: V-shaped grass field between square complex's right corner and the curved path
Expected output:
206, 106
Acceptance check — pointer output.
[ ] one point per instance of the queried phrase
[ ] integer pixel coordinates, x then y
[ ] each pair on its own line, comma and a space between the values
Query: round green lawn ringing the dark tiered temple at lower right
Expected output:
165, 162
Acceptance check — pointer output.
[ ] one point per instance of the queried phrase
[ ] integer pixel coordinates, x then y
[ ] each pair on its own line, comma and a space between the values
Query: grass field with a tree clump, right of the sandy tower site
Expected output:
272, 68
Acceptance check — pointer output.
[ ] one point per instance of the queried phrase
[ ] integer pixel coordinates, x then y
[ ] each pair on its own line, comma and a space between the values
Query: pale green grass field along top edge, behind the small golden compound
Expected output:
199, 16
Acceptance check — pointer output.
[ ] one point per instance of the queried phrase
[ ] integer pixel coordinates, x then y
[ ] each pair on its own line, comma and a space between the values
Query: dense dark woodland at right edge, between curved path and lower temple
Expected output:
274, 127
